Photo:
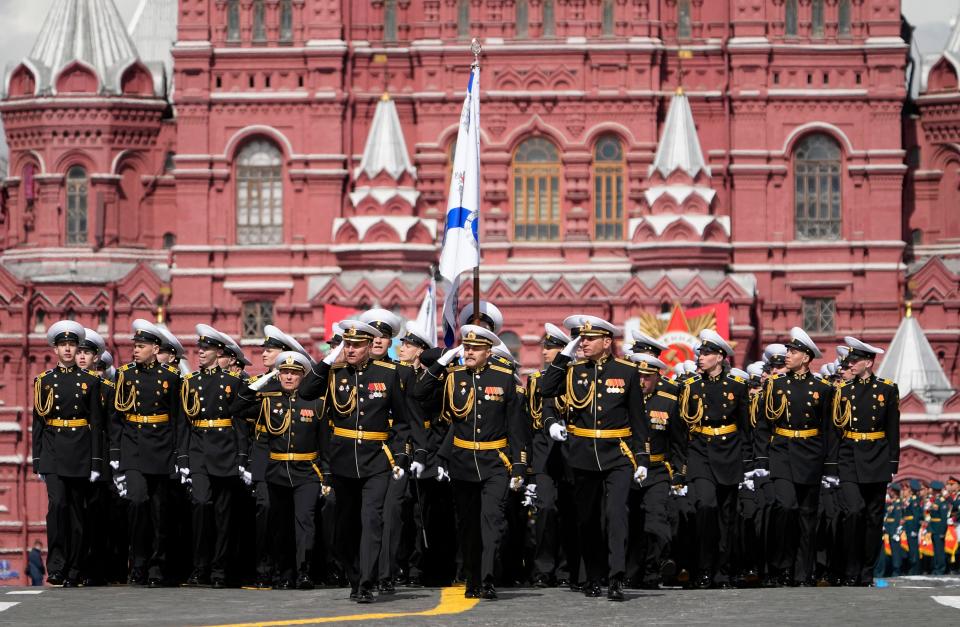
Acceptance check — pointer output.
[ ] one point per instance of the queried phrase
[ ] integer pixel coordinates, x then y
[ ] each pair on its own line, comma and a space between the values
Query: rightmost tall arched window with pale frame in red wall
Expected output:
817, 188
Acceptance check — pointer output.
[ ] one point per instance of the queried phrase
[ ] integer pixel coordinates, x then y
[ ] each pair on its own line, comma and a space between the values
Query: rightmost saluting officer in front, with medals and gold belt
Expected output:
608, 449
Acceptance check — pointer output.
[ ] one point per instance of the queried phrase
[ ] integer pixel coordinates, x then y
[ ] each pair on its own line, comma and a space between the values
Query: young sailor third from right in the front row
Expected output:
716, 408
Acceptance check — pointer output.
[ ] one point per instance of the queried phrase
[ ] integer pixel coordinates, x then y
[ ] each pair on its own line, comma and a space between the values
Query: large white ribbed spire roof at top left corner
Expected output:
90, 32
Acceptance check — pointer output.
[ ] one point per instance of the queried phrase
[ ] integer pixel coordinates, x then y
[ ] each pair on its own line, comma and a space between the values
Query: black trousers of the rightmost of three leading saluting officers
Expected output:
590, 489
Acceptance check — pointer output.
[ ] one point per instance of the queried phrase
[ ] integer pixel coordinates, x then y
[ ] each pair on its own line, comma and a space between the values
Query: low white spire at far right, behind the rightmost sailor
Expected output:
911, 363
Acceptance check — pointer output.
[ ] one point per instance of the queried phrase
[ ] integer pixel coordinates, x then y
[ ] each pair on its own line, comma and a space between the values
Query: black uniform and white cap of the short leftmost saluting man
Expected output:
292, 429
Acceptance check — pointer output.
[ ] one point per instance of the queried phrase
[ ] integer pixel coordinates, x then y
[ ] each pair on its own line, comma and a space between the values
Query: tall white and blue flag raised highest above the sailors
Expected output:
461, 239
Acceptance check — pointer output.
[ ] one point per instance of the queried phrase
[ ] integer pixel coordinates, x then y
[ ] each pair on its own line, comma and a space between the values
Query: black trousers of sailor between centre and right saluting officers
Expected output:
557, 554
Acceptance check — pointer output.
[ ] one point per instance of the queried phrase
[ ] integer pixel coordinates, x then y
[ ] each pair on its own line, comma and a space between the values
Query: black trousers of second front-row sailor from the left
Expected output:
149, 497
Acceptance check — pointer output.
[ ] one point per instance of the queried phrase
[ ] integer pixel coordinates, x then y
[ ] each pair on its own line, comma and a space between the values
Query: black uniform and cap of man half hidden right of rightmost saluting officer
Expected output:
667, 447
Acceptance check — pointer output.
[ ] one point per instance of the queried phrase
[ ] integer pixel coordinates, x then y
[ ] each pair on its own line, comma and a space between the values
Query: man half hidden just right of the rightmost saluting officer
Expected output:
666, 445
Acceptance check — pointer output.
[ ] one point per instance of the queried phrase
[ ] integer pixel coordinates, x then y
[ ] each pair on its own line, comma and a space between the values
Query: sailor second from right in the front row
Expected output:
793, 436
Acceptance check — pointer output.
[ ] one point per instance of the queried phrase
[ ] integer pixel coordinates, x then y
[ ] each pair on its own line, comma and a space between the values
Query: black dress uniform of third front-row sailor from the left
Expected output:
212, 444
